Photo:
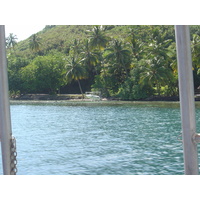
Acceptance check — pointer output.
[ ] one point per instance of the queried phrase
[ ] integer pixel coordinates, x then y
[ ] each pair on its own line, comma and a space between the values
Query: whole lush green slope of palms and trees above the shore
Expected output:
125, 62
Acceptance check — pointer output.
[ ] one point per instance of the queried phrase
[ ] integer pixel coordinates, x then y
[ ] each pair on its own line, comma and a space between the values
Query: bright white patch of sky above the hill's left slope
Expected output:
23, 31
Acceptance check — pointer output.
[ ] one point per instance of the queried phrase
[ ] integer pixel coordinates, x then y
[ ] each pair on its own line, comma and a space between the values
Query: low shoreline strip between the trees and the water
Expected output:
76, 100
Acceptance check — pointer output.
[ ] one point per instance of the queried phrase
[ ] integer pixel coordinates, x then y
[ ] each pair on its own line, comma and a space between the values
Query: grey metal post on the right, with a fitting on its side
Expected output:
186, 92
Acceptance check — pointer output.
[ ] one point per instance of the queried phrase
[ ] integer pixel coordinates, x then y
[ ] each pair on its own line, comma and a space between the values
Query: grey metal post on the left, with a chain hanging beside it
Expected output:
5, 122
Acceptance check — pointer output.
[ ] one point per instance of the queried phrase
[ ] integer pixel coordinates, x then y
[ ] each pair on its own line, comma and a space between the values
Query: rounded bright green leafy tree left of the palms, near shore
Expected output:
45, 74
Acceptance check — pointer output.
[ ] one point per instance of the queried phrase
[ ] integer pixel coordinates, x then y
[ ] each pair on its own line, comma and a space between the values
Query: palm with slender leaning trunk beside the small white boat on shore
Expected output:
75, 71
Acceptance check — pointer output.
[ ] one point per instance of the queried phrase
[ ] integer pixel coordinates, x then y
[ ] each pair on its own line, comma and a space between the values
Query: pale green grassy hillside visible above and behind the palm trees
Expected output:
60, 37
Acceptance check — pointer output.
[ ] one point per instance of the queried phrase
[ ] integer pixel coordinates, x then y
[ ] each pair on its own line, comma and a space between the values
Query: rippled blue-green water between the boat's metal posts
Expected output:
59, 138
